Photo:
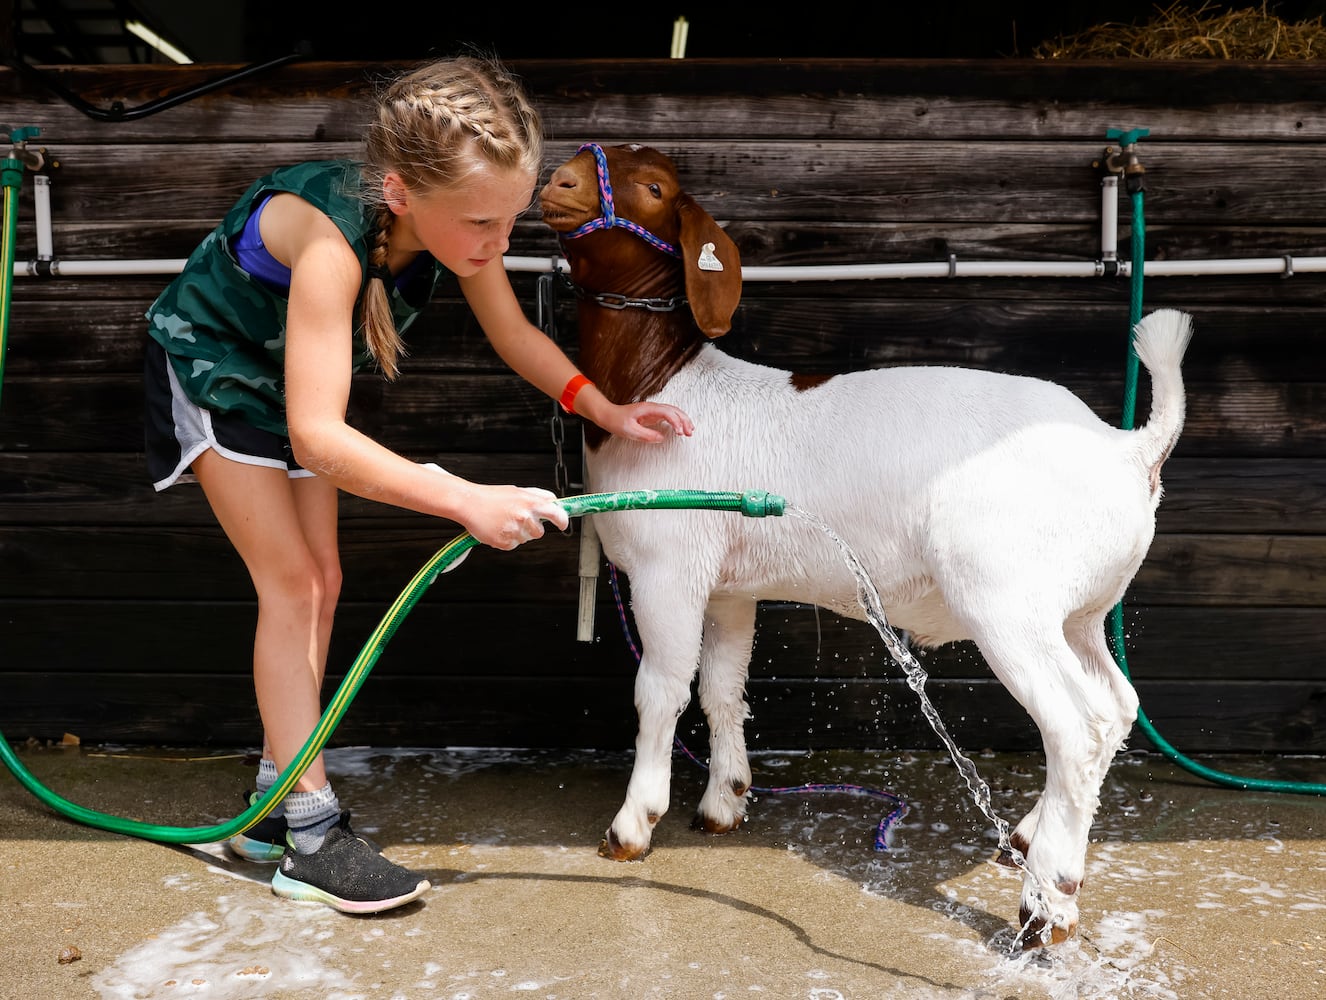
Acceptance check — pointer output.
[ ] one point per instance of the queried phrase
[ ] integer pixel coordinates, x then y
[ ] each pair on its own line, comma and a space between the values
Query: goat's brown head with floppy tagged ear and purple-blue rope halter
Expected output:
629, 229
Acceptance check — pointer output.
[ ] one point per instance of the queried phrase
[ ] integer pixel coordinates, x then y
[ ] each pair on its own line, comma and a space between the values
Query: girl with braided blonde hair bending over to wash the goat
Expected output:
314, 275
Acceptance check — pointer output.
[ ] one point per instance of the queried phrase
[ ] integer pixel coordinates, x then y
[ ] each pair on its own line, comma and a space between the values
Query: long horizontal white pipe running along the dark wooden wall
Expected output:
1287, 266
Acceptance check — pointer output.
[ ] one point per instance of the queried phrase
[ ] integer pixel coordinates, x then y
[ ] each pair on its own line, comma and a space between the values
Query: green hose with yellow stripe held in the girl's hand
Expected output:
753, 505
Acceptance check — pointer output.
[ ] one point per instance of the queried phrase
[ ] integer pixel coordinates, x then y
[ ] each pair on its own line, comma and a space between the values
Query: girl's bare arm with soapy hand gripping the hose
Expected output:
324, 286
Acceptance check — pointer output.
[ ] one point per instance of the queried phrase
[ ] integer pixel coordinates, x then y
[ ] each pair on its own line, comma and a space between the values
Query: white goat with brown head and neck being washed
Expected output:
987, 507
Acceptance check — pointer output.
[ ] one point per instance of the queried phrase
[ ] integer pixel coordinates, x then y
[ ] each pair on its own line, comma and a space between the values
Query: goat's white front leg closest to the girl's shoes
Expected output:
670, 633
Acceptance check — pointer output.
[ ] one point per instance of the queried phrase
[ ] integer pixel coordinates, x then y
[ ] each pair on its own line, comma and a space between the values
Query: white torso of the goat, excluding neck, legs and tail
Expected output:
935, 477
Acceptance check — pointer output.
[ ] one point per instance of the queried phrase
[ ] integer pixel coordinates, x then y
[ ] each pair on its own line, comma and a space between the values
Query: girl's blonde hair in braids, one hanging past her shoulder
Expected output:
433, 128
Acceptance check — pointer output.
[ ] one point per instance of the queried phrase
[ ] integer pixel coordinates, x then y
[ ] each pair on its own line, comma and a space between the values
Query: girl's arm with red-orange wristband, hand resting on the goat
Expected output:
536, 359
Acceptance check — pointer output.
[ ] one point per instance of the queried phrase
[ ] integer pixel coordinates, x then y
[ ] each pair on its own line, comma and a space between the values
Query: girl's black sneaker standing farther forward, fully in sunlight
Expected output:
348, 875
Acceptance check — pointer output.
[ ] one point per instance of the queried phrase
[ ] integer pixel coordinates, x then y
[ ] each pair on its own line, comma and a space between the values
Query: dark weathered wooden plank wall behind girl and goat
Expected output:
127, 617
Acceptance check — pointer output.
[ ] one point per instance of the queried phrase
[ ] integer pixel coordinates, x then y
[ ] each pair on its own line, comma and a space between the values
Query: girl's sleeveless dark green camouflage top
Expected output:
225, 331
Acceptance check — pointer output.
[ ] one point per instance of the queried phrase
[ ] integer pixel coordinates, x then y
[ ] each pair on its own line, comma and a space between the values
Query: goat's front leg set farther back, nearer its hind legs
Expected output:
725, 661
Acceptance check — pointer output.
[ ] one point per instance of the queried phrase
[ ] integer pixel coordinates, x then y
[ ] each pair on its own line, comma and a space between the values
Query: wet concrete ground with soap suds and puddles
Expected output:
1193, 891
